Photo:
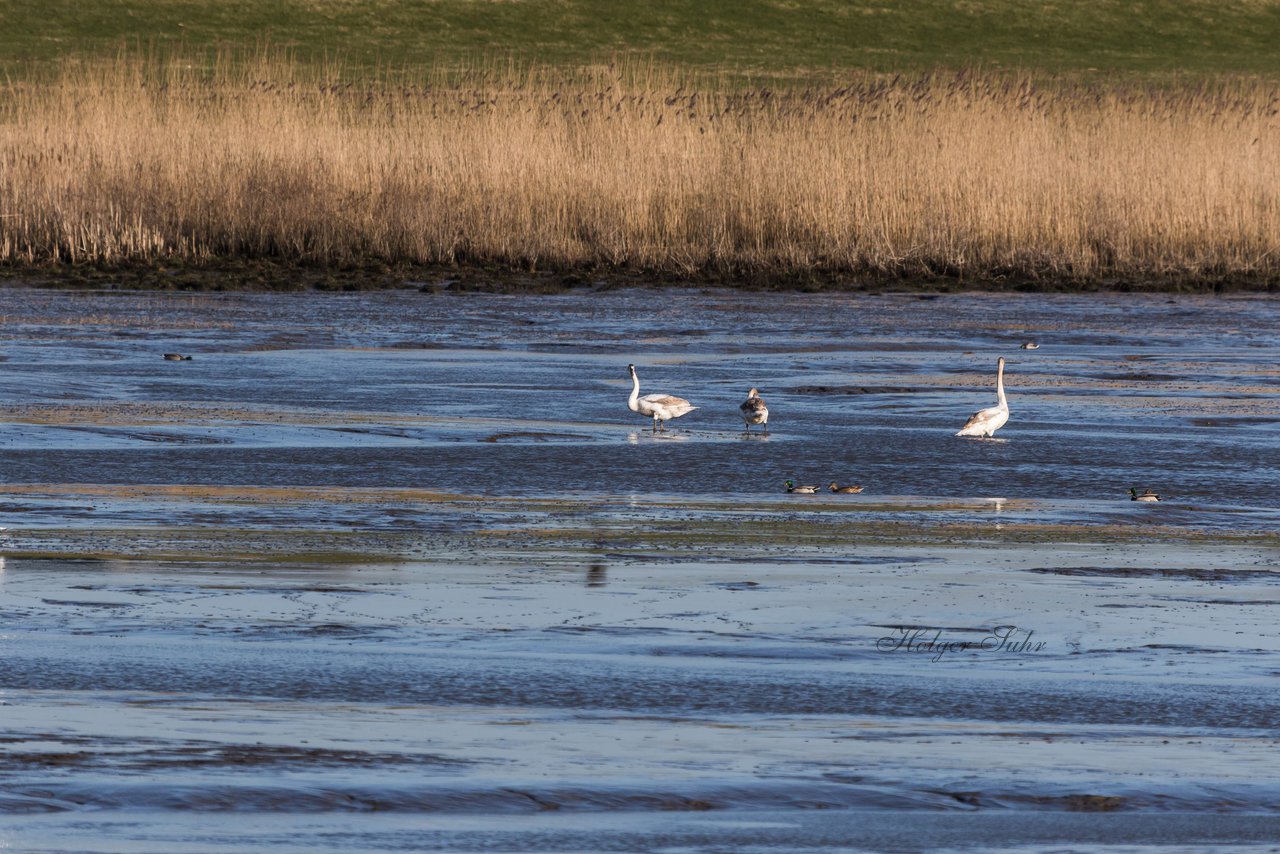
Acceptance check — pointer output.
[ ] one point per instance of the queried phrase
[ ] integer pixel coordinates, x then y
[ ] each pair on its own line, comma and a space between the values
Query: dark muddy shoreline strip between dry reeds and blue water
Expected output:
287, 276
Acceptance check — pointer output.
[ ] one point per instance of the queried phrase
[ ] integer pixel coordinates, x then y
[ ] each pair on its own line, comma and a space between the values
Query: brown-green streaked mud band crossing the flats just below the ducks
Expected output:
418, 524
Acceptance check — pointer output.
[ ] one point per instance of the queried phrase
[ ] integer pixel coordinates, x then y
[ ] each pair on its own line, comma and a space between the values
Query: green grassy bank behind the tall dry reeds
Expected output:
1151, 38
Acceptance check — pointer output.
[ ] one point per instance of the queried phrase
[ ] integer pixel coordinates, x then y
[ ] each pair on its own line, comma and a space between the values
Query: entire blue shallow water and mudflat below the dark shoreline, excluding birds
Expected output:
401, 572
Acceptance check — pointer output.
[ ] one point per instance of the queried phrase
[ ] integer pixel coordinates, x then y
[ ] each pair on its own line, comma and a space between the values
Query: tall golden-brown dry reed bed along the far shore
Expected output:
971, 176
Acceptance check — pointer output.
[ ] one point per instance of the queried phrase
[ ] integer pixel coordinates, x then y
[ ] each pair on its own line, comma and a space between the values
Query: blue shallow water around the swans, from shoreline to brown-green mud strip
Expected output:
528, 396
